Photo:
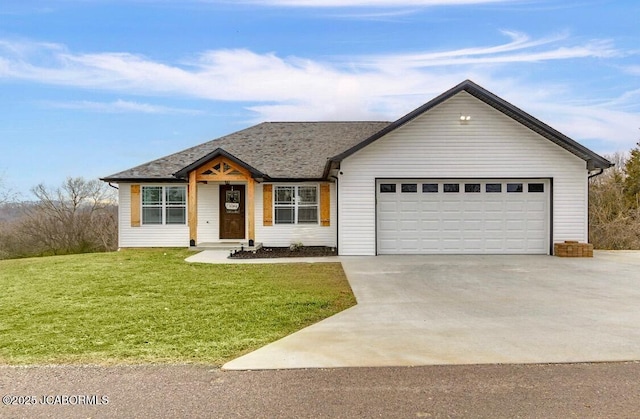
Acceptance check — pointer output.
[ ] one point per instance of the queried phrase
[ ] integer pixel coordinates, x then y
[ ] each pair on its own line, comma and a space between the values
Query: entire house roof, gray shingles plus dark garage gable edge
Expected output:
301, 150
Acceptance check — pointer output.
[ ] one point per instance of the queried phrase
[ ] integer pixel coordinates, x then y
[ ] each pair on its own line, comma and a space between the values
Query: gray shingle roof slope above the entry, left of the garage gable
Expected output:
280, 150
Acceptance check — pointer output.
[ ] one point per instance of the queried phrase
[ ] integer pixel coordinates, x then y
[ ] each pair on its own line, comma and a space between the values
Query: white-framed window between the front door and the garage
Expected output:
296, 205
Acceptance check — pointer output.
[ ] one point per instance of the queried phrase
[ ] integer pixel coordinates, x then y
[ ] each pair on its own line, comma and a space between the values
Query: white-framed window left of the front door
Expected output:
164, 205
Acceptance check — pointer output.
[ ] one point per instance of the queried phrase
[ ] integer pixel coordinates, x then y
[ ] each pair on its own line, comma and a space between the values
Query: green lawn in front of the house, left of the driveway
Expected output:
149, 306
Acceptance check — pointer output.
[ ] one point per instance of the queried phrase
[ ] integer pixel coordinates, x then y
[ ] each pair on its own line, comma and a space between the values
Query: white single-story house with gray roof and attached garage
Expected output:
466, 173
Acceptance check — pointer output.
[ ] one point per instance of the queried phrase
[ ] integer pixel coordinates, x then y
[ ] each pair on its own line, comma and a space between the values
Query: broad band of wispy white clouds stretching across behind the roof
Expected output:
358, 87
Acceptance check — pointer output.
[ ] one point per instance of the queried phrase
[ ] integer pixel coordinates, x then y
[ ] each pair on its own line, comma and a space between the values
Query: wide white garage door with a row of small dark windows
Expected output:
463, 216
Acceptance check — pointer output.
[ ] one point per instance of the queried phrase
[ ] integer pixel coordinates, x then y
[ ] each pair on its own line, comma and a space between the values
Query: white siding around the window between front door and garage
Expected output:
281, 235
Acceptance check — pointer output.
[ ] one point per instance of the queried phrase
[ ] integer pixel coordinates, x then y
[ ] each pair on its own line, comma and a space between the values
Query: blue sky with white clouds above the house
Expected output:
93, 87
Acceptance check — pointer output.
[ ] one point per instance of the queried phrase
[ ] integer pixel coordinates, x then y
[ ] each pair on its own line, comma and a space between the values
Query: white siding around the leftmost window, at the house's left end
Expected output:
146, 235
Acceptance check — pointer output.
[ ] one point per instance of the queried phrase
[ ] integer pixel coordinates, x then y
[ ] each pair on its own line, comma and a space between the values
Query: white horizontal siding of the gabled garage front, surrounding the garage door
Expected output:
436, 145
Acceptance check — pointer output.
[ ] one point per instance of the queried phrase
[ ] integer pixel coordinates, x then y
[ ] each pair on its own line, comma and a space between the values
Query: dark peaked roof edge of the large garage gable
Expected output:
594, 161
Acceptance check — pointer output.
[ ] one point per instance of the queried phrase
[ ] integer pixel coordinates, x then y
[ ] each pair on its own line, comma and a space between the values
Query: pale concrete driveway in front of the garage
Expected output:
427, 310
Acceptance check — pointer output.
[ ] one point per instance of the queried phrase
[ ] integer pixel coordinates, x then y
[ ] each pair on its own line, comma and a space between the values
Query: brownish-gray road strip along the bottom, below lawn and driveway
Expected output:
192, 391
